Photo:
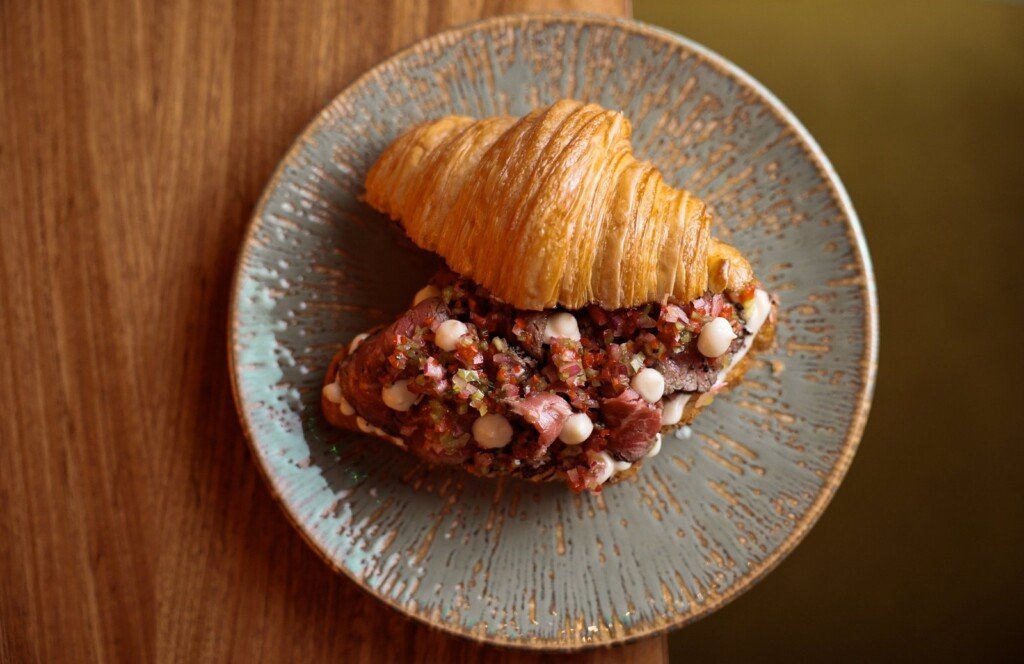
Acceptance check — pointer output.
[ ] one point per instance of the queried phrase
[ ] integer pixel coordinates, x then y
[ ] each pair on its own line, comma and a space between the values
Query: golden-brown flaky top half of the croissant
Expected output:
552, 210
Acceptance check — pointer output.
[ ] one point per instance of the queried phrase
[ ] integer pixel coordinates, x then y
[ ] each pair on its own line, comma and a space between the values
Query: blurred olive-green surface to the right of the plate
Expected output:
921, 108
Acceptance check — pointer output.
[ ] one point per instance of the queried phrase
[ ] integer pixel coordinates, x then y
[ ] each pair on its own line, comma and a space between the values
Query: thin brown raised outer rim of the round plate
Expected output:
869, 361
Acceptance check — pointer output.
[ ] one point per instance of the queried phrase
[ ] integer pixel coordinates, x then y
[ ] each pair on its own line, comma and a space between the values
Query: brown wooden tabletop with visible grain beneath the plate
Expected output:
135, 141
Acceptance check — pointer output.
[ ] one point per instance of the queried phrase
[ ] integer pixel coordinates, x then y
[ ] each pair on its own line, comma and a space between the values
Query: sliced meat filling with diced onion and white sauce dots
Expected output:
464, 379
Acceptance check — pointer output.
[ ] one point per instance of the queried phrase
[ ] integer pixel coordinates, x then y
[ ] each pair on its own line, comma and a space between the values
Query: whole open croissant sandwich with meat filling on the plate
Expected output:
585, 311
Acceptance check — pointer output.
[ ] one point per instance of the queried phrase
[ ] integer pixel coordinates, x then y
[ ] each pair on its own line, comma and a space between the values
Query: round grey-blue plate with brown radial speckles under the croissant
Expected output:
536, 566
